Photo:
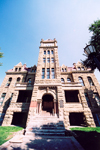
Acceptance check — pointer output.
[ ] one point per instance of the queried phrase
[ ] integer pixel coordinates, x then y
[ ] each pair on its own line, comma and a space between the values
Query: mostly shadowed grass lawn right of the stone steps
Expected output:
88, 137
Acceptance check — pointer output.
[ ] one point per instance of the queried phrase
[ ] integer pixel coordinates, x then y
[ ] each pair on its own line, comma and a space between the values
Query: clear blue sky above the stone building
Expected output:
23, 23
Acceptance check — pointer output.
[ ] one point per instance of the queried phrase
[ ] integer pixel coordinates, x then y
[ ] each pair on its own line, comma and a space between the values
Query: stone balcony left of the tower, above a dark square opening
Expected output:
23, 86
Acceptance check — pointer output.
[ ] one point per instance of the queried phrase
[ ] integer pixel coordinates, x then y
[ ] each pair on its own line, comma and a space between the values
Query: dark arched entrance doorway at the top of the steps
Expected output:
47, 103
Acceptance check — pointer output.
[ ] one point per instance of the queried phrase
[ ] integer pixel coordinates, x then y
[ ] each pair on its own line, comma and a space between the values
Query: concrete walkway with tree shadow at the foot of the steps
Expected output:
43, 143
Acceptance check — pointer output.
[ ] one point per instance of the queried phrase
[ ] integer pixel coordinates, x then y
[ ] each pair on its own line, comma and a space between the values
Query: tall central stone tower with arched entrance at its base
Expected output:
47, 93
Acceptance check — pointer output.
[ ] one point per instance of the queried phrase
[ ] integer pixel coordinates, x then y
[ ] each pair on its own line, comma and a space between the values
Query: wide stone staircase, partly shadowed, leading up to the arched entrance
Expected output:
45, 125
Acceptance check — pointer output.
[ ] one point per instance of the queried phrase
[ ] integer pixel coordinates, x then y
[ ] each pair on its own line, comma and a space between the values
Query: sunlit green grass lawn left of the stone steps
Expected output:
6, 133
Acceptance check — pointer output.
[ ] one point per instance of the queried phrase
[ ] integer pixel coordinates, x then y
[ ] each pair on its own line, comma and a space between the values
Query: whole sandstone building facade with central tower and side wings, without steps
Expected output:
70, 93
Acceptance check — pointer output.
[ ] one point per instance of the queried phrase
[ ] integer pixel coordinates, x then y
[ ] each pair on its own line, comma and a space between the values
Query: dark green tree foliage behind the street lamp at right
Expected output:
95, 41
